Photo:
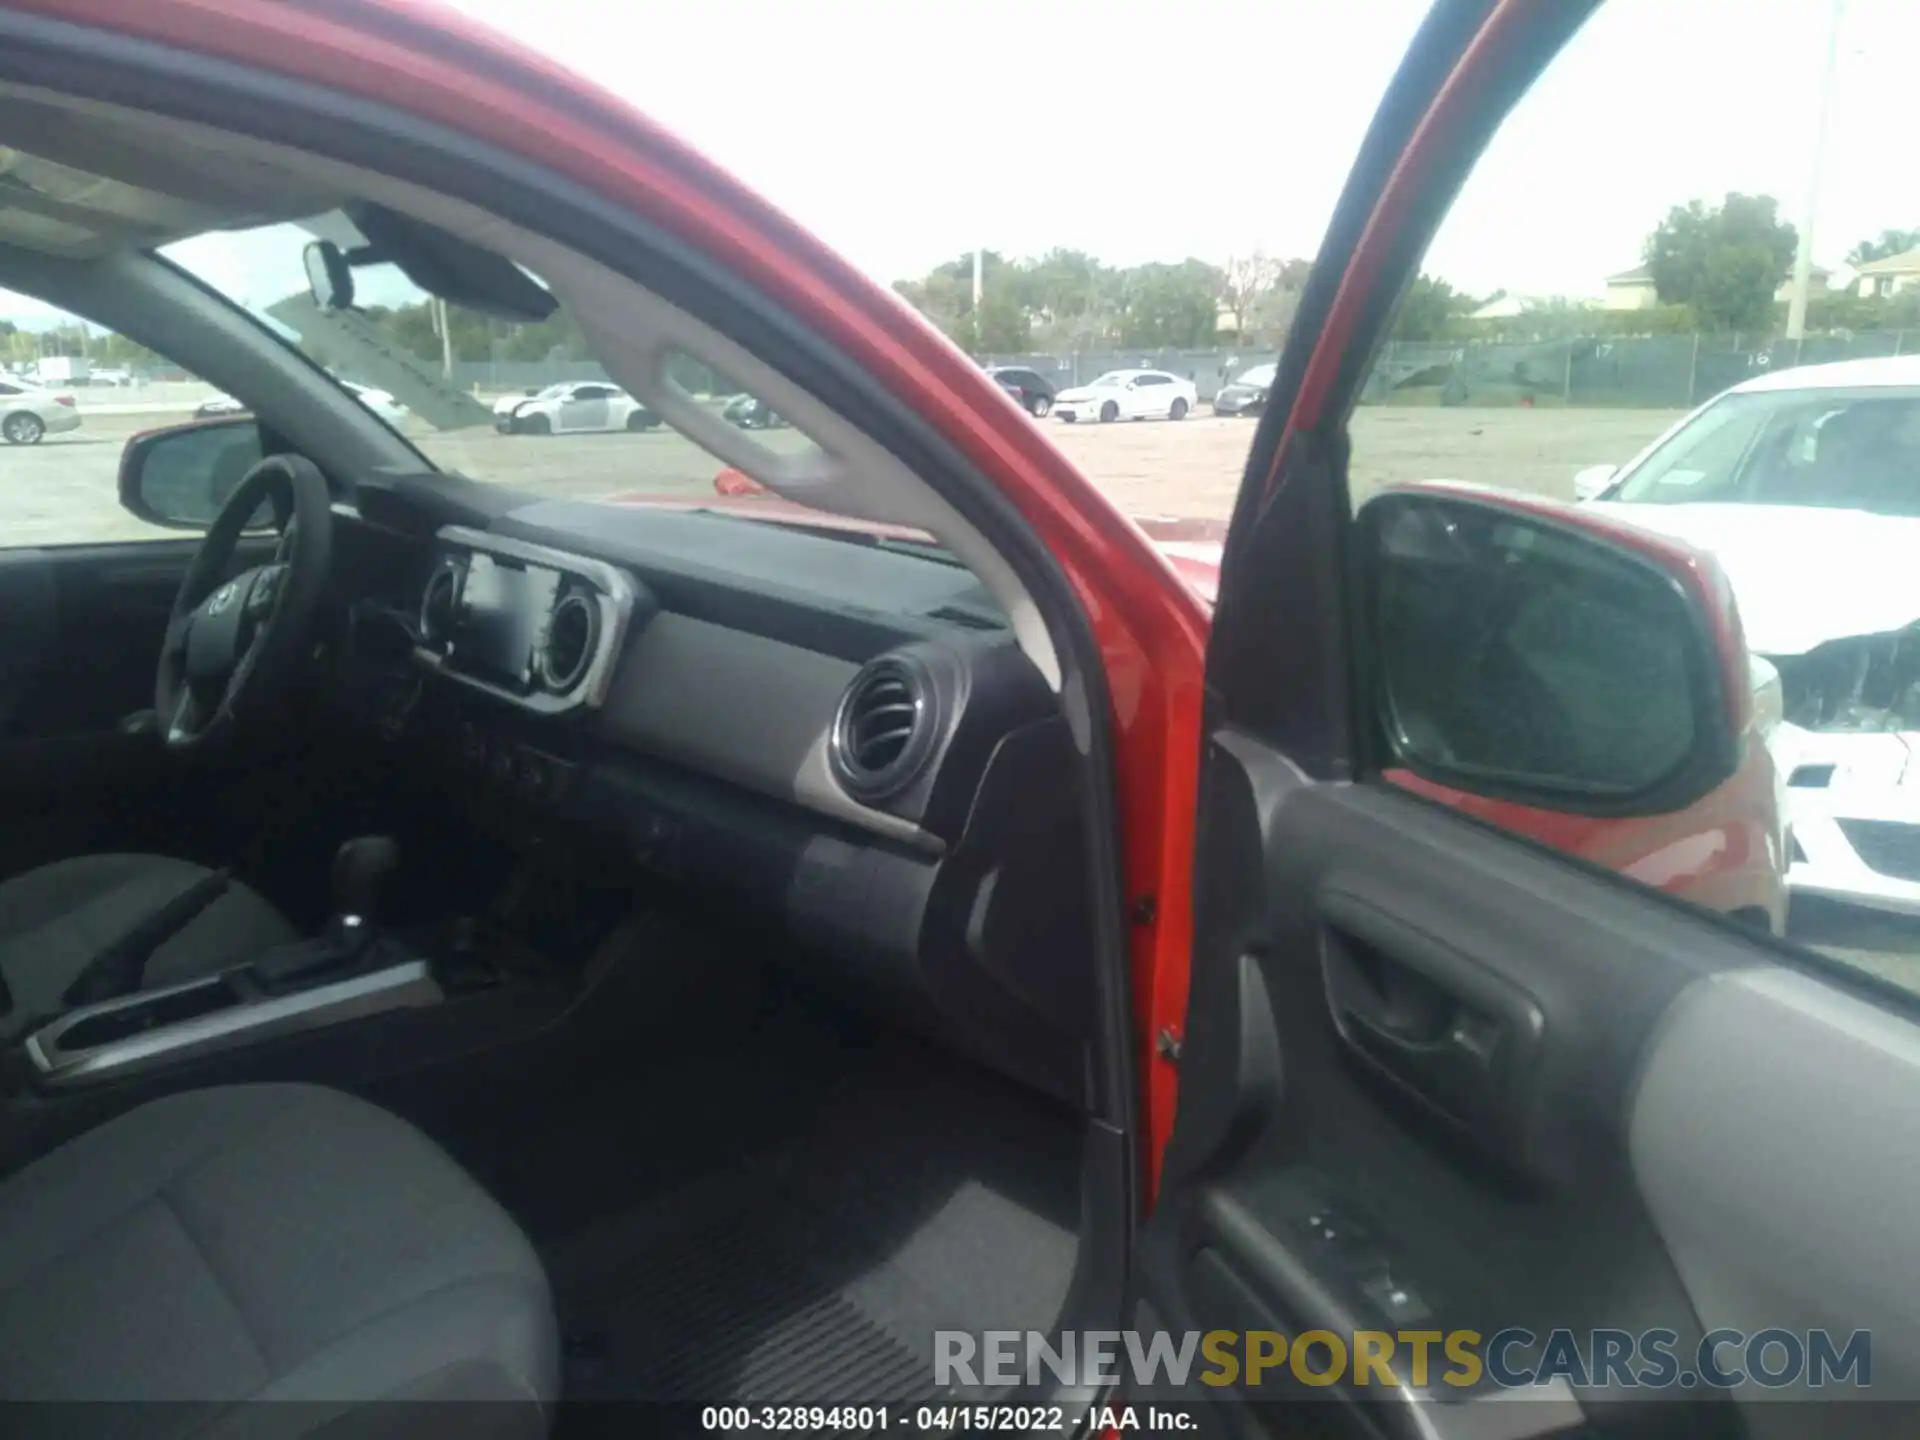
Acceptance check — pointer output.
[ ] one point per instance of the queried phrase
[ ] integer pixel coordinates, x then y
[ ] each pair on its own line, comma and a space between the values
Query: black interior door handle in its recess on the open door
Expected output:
1433, 1020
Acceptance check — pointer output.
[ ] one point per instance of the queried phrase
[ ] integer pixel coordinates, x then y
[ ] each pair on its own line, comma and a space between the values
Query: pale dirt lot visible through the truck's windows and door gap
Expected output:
64, 491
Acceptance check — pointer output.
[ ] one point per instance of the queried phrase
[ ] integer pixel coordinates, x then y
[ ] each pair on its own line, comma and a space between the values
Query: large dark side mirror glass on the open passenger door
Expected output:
1537, 654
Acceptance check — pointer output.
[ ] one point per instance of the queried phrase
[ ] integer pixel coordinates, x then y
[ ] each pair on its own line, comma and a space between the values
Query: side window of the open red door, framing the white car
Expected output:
1717, 348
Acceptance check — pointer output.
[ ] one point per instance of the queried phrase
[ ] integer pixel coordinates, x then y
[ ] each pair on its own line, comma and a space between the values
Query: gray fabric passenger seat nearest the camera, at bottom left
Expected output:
268, 1243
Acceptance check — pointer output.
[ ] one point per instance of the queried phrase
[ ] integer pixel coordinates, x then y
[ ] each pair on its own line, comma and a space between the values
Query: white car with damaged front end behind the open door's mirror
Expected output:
1806, 485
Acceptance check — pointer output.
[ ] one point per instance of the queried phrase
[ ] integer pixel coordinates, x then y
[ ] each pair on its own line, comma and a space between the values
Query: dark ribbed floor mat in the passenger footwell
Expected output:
900, 1195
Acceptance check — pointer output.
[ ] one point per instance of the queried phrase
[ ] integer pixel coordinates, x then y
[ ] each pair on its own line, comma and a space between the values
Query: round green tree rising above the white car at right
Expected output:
1723, 264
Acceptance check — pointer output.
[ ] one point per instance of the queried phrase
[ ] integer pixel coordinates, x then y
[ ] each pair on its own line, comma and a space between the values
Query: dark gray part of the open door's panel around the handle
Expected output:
1312, 1180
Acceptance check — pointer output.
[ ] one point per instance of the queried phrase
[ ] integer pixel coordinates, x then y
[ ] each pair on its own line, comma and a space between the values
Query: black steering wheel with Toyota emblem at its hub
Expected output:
233, 646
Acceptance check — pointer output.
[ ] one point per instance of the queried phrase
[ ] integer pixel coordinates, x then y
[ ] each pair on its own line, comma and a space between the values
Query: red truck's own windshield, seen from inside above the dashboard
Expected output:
529, 406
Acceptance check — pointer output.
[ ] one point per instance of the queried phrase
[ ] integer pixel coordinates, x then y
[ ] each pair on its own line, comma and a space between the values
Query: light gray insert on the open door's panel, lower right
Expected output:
1808, 1097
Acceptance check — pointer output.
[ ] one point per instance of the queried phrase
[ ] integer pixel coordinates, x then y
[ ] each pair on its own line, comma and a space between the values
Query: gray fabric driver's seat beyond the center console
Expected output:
57, 919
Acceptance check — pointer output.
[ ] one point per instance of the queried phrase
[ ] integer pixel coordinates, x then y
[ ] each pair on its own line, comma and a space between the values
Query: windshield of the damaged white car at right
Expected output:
1823, 448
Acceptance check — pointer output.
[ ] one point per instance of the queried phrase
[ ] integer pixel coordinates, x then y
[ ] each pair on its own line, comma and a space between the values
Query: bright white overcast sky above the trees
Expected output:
909, 132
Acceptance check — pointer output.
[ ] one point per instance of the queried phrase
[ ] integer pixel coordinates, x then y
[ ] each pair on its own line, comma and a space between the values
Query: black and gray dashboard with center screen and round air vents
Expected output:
834, 736
